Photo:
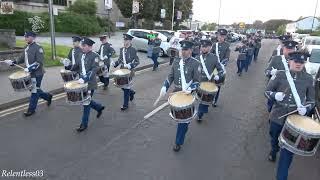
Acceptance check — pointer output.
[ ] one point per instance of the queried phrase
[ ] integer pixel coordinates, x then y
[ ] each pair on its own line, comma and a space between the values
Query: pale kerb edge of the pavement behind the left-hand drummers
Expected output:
60, 90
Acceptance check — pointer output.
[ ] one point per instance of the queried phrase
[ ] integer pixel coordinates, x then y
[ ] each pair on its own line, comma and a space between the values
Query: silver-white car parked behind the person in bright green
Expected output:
140, 40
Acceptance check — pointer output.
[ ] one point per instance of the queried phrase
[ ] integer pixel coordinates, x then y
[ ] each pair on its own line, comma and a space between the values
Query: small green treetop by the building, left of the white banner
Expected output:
88, 7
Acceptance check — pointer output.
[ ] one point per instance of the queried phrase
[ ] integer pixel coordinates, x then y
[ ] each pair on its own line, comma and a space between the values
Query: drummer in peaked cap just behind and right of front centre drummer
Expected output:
209, 62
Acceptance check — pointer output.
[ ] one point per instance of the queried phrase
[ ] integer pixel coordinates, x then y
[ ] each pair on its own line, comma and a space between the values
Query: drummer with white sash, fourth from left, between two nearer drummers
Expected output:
105, 51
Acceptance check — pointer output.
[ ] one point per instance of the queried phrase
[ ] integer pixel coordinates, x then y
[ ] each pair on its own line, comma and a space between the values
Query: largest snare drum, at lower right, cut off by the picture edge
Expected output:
300, 135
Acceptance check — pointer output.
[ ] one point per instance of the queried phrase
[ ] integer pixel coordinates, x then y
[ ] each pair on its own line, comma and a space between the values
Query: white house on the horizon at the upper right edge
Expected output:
306, 23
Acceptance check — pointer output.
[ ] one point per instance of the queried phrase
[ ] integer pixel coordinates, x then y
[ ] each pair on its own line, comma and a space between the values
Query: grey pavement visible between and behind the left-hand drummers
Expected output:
51, 82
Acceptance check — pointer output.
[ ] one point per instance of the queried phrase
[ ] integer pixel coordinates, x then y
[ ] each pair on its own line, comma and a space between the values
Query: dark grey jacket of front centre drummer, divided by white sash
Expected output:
192, 70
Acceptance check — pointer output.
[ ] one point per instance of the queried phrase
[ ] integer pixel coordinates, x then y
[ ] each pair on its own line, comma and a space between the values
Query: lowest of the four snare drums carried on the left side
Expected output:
77, 94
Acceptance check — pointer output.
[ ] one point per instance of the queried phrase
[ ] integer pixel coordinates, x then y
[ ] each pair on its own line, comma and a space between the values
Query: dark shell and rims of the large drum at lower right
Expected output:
298, 141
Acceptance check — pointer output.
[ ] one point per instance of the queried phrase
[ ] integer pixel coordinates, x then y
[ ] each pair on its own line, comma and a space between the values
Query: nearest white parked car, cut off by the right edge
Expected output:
313, 62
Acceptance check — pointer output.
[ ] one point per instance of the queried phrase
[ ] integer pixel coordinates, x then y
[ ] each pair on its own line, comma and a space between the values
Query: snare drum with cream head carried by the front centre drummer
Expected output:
182, 107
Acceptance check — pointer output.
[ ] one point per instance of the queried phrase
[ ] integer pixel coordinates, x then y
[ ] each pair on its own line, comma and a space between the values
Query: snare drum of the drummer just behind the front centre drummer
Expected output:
206, 92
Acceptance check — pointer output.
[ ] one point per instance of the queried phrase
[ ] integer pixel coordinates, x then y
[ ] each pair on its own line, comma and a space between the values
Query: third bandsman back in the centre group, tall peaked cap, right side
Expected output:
222, 50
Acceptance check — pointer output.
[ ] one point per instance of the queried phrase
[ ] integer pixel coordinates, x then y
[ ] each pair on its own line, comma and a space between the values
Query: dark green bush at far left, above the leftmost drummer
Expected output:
17, 21
